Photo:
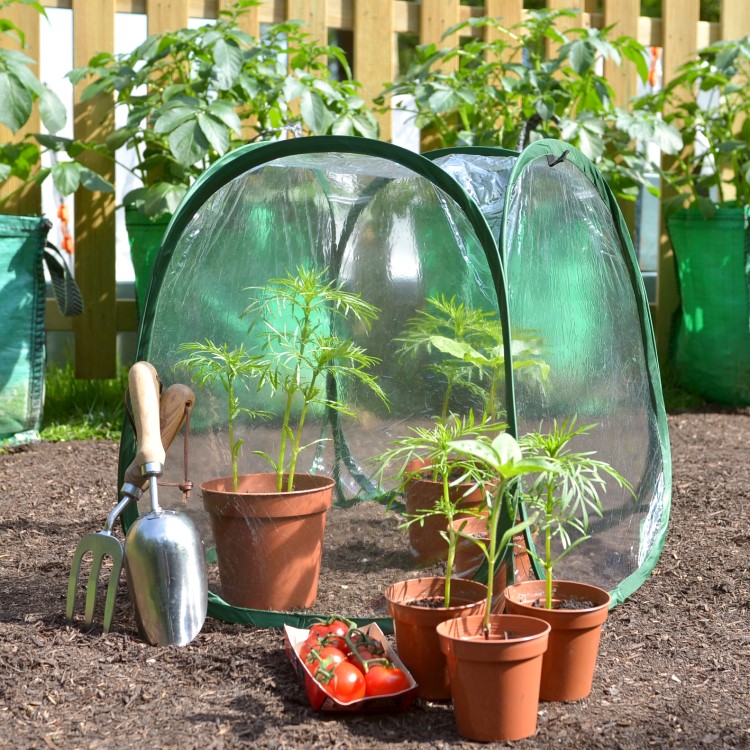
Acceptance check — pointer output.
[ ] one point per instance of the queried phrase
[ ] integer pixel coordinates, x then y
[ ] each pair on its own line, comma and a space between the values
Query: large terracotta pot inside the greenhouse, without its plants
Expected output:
268, 544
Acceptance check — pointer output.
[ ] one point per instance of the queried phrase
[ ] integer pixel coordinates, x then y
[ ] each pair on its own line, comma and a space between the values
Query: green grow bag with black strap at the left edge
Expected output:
22, 241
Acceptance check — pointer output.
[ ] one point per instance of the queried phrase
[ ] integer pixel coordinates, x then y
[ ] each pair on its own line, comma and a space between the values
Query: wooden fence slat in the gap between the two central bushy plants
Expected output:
375, 52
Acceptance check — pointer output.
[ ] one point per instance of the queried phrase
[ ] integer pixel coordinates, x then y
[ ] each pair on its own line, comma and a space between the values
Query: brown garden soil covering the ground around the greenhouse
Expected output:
673, 670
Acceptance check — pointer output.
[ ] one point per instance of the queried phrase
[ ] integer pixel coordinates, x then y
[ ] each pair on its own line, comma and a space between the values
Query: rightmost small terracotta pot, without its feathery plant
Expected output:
568, 669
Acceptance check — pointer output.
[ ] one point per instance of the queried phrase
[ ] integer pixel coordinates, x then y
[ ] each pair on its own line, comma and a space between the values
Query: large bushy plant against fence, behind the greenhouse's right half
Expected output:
509, 91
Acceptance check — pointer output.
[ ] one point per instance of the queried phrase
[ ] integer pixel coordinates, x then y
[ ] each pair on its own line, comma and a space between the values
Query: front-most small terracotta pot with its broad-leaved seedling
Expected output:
494, 661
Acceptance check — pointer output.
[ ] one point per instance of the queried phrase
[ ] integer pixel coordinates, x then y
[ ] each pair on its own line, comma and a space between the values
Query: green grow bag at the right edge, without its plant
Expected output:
711, 350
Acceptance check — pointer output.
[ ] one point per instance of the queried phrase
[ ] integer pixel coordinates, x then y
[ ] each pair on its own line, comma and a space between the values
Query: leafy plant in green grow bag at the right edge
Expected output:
707, 219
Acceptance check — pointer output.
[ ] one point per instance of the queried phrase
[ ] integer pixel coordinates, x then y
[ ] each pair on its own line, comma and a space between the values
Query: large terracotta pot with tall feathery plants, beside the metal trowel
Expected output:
268, 527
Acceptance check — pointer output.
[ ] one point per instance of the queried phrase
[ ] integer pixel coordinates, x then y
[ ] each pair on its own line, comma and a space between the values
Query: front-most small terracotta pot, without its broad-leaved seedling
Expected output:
494, 681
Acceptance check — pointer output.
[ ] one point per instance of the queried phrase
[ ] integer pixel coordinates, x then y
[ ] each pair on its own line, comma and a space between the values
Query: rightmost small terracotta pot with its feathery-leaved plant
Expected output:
562, 498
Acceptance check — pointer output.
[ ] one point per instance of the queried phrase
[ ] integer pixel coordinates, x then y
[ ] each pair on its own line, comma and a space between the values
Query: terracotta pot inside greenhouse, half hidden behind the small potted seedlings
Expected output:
427, 546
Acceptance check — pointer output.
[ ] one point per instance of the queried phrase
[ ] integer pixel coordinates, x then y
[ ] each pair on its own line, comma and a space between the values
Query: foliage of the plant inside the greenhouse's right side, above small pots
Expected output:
471, 344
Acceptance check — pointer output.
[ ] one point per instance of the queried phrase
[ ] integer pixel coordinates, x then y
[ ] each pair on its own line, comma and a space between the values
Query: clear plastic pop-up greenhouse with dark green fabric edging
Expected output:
418, 241
